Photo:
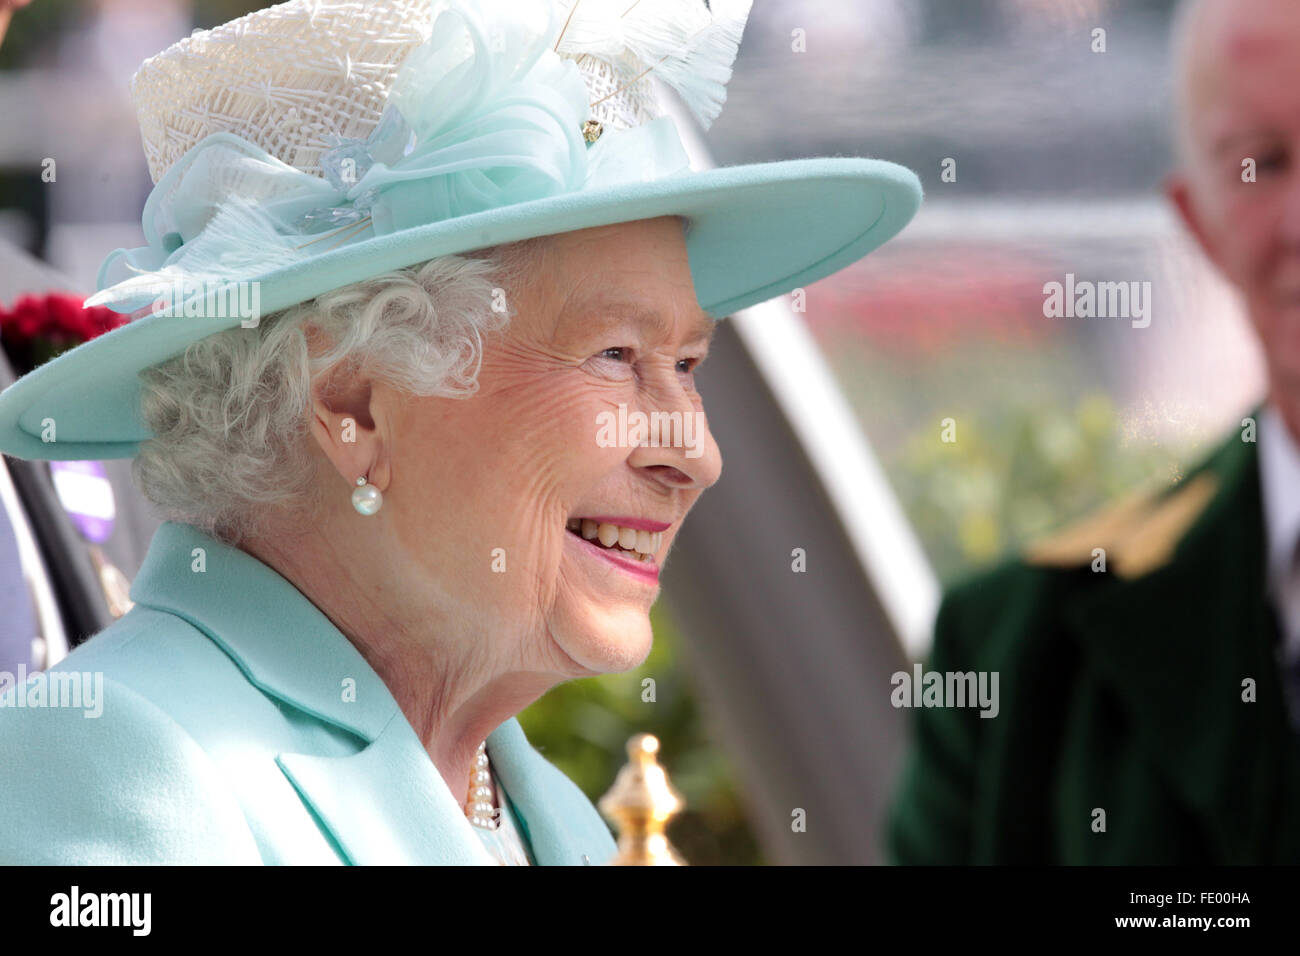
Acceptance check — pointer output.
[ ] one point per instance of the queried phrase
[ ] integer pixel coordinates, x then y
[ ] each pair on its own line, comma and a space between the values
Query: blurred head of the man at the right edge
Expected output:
1238, 184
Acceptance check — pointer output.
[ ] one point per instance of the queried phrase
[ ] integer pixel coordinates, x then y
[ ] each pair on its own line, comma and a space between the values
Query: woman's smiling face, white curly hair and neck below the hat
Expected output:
406, 375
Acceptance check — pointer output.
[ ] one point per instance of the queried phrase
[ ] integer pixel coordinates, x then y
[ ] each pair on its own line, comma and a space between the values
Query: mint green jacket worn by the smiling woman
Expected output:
240, 726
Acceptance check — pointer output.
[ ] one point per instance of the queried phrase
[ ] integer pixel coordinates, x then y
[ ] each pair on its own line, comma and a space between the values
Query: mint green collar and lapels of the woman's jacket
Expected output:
387, 803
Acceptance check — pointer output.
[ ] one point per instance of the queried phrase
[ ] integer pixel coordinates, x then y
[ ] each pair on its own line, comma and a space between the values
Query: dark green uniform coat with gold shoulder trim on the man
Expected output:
1142, 716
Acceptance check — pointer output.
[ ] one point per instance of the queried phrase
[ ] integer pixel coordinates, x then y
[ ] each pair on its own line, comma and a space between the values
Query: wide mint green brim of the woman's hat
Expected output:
757, 232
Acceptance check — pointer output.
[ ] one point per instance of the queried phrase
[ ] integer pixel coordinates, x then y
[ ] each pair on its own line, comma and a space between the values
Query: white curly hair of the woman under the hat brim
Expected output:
229, 418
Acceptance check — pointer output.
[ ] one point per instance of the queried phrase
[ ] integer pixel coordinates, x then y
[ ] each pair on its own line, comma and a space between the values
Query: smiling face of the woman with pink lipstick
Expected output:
489, 495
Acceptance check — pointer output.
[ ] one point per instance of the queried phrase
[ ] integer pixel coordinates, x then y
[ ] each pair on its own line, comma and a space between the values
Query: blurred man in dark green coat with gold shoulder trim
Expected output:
1150, 659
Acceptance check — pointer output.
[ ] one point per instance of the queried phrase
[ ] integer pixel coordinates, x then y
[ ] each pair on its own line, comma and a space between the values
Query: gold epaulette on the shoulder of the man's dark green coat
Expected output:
1138, 534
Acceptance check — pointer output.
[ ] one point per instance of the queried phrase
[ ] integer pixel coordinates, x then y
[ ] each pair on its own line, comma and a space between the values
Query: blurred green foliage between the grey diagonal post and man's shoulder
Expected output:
1039, 442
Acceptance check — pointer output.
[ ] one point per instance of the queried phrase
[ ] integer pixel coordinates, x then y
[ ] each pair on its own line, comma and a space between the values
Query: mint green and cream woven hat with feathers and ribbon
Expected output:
314, 145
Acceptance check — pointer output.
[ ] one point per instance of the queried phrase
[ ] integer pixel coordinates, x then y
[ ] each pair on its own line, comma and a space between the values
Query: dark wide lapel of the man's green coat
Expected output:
1178, 642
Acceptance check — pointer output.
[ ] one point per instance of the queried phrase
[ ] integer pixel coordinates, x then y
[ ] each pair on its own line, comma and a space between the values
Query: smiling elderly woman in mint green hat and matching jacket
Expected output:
396, 518
